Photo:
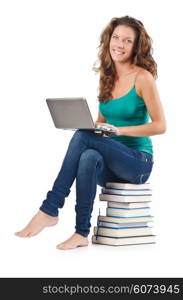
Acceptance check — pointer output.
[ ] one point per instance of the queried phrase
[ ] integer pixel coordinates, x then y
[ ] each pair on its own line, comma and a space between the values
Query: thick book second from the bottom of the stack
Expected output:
122, 232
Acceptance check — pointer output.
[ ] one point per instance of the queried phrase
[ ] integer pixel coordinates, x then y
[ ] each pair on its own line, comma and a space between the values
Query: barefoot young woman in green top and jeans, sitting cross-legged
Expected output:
127, 97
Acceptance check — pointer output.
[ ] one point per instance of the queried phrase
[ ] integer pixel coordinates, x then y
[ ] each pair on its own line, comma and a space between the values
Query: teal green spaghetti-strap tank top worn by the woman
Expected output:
128, 110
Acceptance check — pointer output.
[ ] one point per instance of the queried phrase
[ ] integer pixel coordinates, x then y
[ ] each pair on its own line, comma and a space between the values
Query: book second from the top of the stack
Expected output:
124, 192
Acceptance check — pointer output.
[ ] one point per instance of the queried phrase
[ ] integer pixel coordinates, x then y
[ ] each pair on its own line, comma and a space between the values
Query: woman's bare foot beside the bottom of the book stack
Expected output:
76, 240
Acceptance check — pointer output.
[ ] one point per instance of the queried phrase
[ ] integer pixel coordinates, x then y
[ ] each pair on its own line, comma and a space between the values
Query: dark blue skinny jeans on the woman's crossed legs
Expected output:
94, 159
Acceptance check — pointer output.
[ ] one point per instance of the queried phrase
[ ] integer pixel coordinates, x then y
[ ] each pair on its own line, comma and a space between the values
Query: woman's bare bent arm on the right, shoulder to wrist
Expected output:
149, 93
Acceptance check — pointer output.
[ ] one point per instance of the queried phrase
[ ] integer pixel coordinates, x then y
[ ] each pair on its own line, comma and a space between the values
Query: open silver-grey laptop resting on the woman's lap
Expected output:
73, 113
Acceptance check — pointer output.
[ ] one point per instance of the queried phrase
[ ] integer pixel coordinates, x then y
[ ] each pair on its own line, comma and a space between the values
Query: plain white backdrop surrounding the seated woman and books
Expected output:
48, 48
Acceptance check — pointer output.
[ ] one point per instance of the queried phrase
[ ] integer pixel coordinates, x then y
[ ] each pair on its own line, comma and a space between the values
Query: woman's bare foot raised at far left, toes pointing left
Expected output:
37, 224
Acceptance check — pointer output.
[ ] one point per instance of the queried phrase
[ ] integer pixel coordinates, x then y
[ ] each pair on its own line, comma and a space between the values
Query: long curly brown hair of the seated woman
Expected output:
142, 55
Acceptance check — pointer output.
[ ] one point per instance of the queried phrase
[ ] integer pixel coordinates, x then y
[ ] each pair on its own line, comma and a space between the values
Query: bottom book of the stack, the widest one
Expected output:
149, 239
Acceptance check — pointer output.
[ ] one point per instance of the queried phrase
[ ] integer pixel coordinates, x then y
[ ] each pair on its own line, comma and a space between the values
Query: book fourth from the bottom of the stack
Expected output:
123, 220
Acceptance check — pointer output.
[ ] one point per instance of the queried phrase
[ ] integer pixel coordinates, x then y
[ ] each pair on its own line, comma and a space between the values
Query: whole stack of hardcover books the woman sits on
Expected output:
127, 216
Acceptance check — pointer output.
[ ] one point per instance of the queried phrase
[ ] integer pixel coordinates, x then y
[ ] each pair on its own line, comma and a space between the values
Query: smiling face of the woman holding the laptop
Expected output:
122, 43
